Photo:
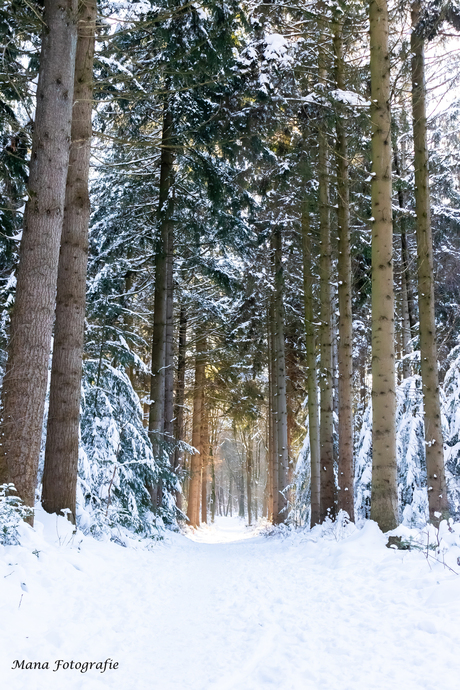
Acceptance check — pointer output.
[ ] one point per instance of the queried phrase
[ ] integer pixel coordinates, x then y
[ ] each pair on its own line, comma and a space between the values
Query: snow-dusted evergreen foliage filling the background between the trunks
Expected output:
247, 100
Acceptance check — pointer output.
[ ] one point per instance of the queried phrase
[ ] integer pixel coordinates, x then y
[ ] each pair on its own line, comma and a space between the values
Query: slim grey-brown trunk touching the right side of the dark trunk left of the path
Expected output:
169, 342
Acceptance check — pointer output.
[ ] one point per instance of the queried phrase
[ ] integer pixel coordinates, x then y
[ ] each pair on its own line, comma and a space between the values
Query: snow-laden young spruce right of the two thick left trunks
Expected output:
117, 466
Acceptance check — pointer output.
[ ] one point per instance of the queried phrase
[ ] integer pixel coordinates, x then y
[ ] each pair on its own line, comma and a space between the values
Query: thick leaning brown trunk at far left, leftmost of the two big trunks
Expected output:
26, 375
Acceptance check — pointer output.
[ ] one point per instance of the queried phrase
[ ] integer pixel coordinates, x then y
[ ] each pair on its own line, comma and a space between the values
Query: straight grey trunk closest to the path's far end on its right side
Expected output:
281, 439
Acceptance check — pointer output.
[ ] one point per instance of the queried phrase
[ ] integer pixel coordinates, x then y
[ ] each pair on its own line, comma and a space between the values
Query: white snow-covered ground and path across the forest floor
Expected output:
227, 608
